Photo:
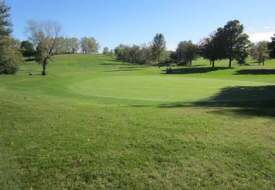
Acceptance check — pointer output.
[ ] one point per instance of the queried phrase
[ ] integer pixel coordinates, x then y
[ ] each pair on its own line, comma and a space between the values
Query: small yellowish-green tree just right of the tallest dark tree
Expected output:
259, 51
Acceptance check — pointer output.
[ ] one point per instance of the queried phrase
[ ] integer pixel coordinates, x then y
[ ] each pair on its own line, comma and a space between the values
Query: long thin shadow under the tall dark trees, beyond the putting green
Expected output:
192, 70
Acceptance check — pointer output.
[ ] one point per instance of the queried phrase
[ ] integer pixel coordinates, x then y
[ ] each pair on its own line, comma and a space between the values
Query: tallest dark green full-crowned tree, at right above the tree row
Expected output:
235, 42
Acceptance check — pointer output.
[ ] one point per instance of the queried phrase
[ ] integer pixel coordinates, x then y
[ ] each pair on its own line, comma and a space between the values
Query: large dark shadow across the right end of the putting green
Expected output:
253, 101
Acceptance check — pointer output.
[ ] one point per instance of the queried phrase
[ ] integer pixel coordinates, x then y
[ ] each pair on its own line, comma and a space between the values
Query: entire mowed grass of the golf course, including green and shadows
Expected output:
92, 125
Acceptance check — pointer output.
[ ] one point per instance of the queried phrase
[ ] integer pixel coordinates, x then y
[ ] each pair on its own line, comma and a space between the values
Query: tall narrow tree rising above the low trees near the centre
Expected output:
159, 46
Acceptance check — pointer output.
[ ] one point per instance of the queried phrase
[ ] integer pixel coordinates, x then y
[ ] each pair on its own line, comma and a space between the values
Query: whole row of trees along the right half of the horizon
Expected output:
227, 42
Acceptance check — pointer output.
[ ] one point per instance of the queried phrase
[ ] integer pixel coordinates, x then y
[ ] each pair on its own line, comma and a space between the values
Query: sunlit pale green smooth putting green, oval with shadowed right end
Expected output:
155, 88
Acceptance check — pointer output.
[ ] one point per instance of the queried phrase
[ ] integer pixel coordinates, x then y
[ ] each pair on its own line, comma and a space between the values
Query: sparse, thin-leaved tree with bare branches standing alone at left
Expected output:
46, 35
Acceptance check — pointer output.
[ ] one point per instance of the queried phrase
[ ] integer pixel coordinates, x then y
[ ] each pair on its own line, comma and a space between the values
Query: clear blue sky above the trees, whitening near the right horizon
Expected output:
114, 22
